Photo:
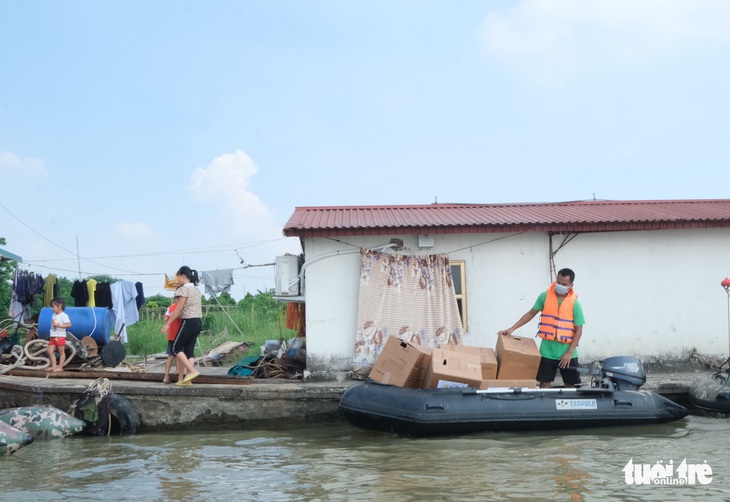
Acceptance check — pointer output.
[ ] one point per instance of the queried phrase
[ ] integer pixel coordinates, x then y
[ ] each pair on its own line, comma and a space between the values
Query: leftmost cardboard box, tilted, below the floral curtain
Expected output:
401, 363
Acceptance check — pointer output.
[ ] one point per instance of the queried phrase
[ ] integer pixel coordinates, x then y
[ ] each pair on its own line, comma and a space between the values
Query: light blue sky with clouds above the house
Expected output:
166, 133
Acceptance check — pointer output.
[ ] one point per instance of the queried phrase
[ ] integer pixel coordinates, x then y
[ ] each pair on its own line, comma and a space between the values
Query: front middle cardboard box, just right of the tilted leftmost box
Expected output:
449, 368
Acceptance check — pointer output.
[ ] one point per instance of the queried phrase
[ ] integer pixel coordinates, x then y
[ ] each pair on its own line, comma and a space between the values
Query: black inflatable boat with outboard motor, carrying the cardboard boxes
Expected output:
613, 399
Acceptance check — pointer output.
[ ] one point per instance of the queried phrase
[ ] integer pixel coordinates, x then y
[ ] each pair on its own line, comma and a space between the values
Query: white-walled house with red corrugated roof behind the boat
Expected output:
648, 273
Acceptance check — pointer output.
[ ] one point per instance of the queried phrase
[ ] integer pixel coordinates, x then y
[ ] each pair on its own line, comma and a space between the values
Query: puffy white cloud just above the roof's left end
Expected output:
224, 183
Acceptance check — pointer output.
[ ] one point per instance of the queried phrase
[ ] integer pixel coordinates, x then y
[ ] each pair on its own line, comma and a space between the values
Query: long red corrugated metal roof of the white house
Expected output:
578, 216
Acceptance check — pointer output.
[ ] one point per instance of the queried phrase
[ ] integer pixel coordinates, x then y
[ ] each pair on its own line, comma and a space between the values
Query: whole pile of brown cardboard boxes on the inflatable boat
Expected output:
513, 363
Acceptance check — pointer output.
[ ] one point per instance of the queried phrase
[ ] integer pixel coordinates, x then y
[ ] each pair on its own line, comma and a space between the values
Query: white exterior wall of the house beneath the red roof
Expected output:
655, 294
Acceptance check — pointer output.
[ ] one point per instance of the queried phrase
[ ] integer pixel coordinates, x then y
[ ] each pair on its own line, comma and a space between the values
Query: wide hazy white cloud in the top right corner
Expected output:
554, 39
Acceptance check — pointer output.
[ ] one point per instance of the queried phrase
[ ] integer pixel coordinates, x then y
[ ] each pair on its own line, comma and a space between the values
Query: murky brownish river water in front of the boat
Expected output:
333, 461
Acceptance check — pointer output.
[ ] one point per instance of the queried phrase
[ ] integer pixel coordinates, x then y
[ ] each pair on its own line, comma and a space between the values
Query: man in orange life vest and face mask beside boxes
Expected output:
561, 326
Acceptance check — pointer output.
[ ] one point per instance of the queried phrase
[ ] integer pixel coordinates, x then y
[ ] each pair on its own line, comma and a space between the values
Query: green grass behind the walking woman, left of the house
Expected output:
256, 325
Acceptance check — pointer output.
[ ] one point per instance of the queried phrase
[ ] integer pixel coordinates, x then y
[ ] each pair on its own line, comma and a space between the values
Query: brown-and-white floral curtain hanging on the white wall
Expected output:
411, 297
